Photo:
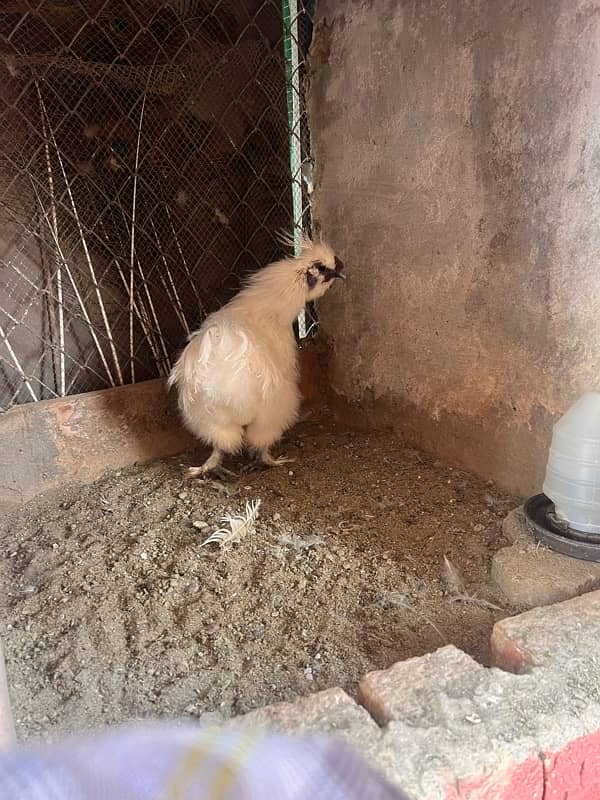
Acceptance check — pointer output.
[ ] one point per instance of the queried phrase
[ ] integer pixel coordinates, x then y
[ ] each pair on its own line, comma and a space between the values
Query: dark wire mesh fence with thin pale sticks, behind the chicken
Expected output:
150, 153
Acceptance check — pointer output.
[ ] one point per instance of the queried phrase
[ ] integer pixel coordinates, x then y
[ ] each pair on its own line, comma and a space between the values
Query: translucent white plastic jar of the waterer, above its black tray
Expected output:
573, 469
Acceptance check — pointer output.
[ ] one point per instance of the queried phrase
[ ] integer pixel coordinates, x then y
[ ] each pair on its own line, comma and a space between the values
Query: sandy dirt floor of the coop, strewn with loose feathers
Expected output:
111, 610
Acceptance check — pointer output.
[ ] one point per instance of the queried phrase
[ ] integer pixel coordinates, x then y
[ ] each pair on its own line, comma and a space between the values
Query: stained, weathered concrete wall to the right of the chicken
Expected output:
457, 149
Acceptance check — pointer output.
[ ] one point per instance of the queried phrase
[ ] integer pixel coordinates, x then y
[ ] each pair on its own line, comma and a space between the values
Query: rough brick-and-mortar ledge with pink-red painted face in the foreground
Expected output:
452, 729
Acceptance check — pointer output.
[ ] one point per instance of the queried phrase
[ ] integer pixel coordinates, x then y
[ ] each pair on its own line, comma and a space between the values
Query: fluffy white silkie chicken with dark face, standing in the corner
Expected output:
237, 378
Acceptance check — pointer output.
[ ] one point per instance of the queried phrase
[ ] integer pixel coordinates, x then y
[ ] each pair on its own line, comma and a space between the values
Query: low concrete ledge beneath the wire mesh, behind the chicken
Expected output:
77, 438
